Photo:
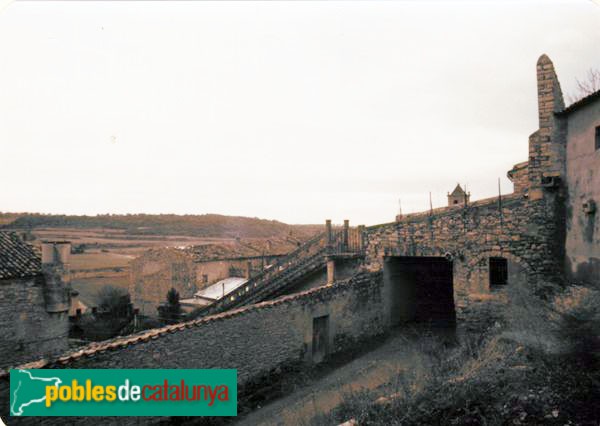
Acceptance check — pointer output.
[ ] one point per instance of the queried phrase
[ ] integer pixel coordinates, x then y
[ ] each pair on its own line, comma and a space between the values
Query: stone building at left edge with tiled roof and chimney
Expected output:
34, 299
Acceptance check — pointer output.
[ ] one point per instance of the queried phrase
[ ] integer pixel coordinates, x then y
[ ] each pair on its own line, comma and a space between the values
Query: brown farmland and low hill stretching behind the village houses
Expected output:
104, 245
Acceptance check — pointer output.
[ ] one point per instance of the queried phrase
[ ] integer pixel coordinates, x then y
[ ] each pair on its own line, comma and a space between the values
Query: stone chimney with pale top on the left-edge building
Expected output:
55, 268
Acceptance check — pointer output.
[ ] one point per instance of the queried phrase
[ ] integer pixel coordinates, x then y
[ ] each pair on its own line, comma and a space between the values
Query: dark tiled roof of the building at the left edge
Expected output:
17, 258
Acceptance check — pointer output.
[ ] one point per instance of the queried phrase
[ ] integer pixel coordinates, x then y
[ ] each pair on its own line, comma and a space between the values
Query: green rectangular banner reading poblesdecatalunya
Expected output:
28, 392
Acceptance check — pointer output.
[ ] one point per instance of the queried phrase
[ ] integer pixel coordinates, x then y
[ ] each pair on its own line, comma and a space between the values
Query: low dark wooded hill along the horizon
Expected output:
207, 225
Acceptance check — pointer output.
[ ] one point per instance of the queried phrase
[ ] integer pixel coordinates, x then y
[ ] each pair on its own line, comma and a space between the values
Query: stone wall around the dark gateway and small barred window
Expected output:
515, 228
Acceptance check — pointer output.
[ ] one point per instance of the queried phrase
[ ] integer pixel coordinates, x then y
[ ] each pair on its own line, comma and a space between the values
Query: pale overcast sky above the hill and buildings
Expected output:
295, 111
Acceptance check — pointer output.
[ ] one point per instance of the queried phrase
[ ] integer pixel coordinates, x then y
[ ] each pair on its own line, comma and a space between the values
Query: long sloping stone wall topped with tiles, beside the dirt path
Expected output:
255, 340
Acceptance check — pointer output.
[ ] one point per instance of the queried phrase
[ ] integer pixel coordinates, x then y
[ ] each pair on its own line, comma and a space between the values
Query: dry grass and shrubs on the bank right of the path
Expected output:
539, 367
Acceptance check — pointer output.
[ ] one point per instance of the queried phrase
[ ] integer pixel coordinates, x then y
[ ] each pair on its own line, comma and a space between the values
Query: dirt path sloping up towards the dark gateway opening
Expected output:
376, 370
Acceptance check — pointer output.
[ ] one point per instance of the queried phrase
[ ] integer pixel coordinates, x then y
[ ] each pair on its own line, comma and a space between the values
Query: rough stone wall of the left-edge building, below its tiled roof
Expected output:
27, 330
